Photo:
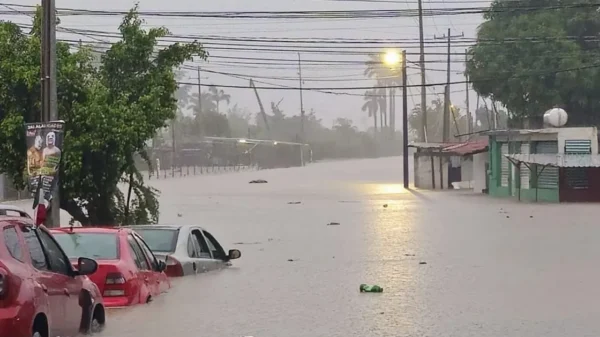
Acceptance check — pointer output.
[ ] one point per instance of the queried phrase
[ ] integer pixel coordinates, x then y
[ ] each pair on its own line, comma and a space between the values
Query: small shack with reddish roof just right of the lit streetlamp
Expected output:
450, 165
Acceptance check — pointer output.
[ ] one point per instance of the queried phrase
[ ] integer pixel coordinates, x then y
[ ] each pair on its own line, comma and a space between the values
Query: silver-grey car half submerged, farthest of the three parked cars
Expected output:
186, 250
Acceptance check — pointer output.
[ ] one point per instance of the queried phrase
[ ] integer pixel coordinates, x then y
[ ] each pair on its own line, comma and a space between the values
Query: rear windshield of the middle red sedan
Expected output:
98, 246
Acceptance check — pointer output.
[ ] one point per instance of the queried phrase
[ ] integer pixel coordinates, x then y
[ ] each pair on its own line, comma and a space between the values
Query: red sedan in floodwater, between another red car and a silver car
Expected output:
128, 272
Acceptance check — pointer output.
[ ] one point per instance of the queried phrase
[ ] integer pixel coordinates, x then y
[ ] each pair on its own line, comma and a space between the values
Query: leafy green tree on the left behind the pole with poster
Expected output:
110, 112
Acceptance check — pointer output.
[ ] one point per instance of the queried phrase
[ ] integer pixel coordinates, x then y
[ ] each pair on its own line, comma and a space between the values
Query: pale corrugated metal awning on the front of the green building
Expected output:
558, 160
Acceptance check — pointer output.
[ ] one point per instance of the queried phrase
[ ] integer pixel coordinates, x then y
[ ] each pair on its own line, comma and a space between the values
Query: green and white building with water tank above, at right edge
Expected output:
549, 165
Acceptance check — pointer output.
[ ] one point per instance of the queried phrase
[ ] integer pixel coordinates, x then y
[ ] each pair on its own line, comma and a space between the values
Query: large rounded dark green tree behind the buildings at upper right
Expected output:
520, 54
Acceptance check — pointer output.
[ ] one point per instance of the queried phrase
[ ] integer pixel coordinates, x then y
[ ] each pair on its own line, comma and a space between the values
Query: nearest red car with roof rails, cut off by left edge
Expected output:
41, 294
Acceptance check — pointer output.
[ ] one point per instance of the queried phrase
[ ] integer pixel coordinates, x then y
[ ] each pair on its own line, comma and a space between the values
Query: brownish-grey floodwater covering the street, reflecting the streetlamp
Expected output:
494, 267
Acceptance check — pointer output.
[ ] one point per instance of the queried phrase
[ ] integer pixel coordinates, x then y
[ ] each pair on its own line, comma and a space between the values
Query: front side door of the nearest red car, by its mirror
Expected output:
72, 285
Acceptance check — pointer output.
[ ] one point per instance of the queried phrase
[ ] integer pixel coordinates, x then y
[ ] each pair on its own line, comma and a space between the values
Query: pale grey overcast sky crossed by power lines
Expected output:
327, 106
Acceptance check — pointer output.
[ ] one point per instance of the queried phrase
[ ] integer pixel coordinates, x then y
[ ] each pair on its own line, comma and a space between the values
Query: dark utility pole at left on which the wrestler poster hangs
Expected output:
48, 82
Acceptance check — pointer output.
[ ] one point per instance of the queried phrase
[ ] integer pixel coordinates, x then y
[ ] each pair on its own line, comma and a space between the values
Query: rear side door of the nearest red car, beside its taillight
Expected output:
49, 283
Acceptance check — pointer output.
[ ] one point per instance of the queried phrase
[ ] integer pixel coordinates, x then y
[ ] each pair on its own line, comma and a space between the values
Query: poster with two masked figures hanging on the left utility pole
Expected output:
44, 152
